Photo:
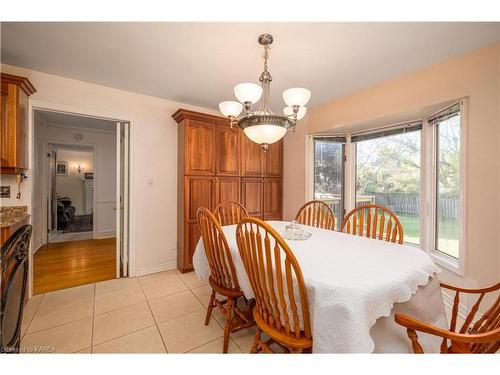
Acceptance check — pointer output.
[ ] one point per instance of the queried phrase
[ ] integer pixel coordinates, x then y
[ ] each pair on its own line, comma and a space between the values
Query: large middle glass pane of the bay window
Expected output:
388, 174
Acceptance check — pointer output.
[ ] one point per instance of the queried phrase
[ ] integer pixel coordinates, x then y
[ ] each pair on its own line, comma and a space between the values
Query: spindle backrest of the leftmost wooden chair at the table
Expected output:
222, 271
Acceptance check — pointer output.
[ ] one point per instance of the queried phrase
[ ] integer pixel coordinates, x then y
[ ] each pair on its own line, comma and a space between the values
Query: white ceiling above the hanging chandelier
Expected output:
199, 63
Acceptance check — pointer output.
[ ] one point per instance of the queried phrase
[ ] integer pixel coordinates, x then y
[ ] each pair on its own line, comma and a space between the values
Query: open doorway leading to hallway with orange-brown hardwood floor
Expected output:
80, 183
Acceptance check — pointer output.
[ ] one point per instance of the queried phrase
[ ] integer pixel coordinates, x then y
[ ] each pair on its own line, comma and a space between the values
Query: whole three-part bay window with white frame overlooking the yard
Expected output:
415, 169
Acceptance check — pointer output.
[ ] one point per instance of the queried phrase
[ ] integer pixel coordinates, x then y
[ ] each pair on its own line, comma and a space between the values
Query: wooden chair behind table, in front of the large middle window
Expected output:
374, 221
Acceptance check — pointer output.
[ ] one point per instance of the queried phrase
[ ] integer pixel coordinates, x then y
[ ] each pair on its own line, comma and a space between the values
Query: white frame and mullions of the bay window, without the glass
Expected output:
428, 187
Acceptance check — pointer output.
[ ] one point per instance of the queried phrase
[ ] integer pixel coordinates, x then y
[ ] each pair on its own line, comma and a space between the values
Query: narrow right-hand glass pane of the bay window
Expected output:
448, 177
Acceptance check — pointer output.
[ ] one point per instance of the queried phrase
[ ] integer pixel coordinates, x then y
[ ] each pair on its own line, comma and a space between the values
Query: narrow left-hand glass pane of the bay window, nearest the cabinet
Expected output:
329, 176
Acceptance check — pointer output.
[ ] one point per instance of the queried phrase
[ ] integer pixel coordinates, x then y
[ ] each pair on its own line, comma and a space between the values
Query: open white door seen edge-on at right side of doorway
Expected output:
122, 167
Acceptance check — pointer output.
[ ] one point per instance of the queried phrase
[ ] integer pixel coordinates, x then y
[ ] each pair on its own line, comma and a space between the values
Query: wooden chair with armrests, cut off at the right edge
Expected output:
475, 336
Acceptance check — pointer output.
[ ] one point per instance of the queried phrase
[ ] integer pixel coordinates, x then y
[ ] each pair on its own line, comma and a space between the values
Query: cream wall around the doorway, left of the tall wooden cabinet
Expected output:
153, 156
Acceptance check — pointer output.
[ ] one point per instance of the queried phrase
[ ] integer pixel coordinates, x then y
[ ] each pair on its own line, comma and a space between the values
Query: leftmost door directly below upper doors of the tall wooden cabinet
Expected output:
200, 192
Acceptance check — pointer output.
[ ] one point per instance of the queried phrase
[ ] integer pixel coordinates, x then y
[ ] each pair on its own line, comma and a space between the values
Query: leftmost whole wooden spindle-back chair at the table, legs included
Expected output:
222, 278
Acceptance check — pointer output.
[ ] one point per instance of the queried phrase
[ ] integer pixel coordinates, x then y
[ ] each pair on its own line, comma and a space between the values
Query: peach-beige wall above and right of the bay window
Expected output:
475, 75
